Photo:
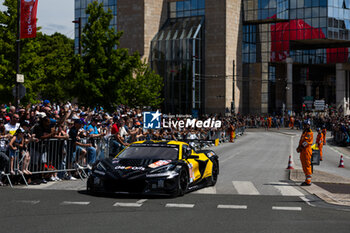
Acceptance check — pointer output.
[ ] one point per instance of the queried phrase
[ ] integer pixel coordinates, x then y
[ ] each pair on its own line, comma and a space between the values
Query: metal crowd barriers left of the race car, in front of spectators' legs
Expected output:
53, 156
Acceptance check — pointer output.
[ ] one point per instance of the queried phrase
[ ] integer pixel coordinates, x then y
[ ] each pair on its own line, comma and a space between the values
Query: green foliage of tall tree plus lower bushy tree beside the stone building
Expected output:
106, 74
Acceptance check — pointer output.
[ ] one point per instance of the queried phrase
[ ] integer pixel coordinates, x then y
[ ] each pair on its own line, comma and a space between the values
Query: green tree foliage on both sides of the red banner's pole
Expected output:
45, 61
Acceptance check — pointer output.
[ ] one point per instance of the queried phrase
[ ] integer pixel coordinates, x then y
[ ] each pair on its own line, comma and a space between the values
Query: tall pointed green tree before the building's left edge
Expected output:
97, 72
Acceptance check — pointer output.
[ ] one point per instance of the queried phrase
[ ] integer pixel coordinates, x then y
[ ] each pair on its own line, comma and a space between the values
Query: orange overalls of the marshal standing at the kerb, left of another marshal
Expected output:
305, 144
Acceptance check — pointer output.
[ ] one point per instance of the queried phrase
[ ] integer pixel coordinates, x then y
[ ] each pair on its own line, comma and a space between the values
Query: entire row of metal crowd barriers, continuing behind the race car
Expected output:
53, 156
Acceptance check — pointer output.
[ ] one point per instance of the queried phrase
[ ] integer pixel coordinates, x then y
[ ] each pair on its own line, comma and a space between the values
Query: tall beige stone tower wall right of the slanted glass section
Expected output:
223, 69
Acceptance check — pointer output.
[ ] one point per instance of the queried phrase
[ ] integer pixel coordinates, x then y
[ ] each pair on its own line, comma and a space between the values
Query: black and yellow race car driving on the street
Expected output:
155, 167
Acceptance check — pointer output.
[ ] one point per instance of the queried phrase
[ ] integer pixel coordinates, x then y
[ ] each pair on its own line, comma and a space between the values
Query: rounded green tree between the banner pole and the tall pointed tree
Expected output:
46, 63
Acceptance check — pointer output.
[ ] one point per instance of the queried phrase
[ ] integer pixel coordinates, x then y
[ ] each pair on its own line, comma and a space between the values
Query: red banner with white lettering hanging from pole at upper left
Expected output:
28, 18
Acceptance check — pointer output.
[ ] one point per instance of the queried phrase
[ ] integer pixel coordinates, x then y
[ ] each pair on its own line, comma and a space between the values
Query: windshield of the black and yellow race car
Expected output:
153, 151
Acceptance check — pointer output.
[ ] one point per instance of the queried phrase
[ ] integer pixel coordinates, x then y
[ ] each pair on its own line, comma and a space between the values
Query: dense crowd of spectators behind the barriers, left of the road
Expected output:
24, 134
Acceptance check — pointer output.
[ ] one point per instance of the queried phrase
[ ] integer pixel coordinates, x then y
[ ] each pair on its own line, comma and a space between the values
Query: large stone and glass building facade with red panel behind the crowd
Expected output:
250, 56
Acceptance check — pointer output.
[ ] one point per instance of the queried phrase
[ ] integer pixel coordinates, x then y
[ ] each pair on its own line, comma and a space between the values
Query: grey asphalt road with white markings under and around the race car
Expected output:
253, 194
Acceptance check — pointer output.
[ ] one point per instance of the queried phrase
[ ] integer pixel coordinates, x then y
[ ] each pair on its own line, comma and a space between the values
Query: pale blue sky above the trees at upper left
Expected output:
55, 16
